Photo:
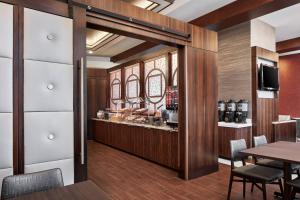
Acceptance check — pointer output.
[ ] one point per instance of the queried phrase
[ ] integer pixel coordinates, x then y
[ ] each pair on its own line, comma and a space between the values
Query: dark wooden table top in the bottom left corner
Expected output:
80, 191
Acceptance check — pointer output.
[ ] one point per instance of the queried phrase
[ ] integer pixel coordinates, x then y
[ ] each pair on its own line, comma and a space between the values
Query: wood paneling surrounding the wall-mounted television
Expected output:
265, 111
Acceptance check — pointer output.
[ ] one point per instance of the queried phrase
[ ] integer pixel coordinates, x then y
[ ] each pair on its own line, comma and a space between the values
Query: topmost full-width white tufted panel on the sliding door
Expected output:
47, 37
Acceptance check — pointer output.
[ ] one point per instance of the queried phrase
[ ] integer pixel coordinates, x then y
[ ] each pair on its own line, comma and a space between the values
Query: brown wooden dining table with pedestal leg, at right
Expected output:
286, 152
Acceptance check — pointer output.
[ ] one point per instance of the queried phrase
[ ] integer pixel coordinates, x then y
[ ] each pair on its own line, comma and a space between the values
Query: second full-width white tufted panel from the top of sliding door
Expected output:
47, 86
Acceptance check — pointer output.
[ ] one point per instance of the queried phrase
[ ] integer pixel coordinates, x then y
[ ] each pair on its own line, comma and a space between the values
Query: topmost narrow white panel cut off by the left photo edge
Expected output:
6, 30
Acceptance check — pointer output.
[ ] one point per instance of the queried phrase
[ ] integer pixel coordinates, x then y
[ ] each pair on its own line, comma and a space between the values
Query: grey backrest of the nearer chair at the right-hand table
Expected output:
236, 146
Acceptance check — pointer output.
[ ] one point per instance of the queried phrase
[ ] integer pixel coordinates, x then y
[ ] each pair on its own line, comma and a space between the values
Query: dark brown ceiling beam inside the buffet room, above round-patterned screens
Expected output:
133, 51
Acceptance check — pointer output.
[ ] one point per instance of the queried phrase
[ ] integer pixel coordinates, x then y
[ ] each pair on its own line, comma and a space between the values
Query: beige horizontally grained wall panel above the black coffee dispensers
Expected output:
234, 63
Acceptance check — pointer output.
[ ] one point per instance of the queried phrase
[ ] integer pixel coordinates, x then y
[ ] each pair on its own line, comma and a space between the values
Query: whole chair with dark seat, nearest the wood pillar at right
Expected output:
251, 173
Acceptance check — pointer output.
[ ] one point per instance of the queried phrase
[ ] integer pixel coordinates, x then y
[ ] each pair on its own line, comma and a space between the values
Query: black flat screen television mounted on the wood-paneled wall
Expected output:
268, 78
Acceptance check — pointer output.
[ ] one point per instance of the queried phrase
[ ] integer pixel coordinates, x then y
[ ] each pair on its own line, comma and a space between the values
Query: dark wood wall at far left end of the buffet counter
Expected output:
96, 94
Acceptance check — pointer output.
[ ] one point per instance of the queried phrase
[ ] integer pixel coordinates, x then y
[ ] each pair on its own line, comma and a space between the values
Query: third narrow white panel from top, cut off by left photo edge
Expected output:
6, 140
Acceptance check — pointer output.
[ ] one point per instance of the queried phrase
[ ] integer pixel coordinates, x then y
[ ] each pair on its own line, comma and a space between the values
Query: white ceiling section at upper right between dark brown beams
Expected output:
286, 22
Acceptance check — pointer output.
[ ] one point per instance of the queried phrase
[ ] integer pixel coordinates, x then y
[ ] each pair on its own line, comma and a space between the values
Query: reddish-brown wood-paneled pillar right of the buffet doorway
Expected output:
201, 143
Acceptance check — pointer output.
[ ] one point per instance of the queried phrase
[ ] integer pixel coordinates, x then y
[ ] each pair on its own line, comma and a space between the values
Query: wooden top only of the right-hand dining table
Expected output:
283, 151
